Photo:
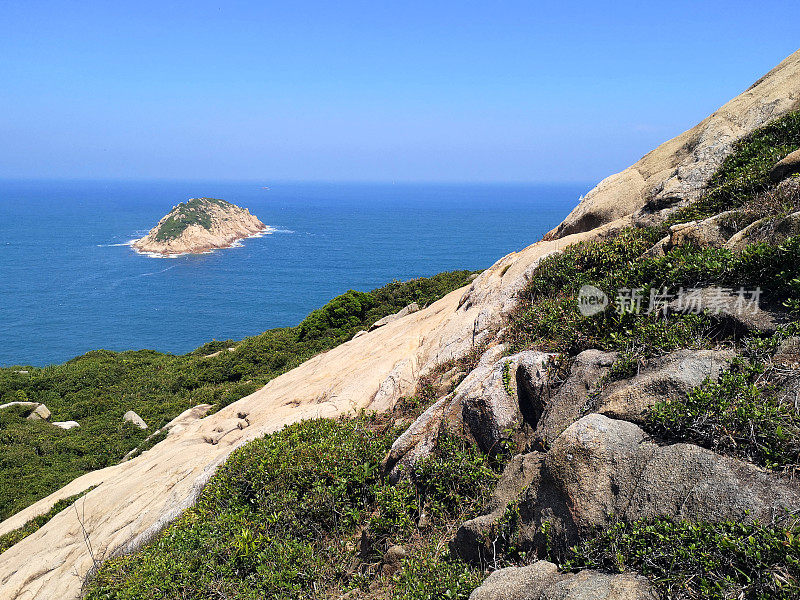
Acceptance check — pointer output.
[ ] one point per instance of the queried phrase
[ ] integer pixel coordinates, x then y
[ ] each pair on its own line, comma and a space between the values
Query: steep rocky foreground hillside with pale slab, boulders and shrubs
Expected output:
609, 413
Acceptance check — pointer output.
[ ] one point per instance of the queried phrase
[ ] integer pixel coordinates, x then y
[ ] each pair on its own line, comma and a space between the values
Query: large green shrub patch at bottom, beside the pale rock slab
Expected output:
269, 524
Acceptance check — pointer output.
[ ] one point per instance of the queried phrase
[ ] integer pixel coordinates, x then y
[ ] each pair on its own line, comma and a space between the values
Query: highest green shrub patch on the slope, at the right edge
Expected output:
743, 175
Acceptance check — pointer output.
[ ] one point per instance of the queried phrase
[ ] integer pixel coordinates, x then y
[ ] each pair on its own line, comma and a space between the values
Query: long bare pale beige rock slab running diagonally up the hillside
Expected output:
135, 499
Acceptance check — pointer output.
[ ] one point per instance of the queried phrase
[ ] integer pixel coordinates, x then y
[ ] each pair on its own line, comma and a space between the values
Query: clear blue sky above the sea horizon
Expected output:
368, 91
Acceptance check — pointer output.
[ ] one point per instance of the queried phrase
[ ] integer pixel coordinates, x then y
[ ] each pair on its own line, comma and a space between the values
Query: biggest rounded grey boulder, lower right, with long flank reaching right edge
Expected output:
610, 470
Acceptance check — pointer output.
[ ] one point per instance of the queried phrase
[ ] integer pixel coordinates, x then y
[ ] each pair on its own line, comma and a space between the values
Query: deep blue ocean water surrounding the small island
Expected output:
69, 284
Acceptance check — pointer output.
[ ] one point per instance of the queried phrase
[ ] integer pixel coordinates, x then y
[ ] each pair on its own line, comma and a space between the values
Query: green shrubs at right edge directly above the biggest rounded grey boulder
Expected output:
744, 414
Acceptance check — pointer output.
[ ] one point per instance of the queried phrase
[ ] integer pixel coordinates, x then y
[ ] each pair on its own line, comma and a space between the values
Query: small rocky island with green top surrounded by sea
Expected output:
199, 225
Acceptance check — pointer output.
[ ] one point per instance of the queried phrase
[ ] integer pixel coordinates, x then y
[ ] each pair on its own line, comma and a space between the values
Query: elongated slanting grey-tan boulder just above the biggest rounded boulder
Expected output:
666, 378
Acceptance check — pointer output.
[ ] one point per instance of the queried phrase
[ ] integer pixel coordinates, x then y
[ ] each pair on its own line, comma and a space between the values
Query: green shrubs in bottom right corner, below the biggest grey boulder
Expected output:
714, 561
